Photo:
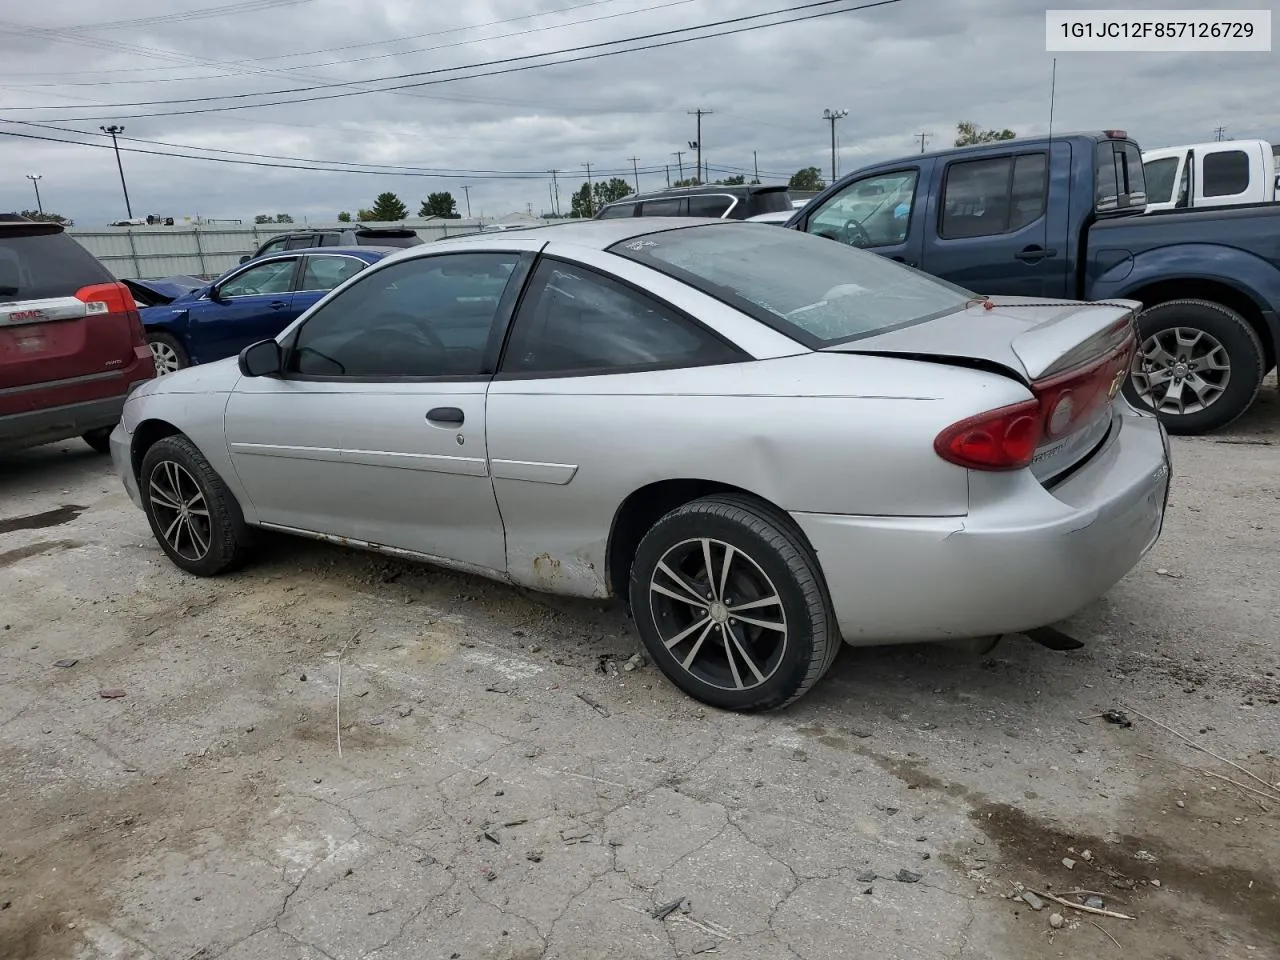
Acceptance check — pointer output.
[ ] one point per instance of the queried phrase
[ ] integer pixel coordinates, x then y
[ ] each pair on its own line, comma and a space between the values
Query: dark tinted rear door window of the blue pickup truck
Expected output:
989, 198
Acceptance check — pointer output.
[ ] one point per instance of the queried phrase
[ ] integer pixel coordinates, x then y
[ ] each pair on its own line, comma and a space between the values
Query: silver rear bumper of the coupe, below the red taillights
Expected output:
1025, 557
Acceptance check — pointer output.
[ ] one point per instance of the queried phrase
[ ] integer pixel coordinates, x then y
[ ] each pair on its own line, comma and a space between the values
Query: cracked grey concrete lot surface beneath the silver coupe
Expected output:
505, 789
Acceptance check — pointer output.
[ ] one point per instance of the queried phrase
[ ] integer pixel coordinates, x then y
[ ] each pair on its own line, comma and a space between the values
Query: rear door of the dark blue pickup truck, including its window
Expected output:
993, 230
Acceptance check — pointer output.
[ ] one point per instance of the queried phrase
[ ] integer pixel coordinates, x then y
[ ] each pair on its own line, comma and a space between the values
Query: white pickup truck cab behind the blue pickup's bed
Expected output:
1223, 173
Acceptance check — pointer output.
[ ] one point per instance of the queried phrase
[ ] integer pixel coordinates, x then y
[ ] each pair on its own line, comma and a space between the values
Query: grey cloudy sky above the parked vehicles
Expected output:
900, 70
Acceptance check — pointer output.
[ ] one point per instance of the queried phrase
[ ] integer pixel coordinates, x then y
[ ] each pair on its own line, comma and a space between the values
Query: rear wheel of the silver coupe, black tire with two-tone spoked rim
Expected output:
732, 605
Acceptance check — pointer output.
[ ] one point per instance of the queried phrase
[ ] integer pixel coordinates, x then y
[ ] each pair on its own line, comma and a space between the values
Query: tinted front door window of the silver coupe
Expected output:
429, 317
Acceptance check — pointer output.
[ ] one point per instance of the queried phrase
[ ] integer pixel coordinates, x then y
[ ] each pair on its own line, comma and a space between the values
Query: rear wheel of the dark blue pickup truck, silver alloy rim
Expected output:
1199, 365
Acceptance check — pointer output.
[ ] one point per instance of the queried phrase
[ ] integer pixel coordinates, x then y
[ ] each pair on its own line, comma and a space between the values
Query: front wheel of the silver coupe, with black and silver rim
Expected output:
194, 515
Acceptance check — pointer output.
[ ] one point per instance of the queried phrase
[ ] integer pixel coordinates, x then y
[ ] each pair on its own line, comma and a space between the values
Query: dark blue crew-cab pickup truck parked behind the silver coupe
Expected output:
1062, 220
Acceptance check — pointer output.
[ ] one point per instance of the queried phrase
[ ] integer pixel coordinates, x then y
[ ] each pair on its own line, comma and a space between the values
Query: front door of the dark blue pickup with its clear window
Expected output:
883, 213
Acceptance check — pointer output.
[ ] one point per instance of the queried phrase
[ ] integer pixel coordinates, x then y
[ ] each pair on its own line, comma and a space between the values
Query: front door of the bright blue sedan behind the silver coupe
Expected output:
250, 305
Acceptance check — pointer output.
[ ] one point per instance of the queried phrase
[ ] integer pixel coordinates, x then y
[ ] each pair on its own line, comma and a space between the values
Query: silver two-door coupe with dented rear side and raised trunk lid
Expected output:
764, 442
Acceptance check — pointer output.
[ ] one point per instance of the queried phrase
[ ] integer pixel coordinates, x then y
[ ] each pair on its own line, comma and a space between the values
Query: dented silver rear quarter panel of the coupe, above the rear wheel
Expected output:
812, 433
